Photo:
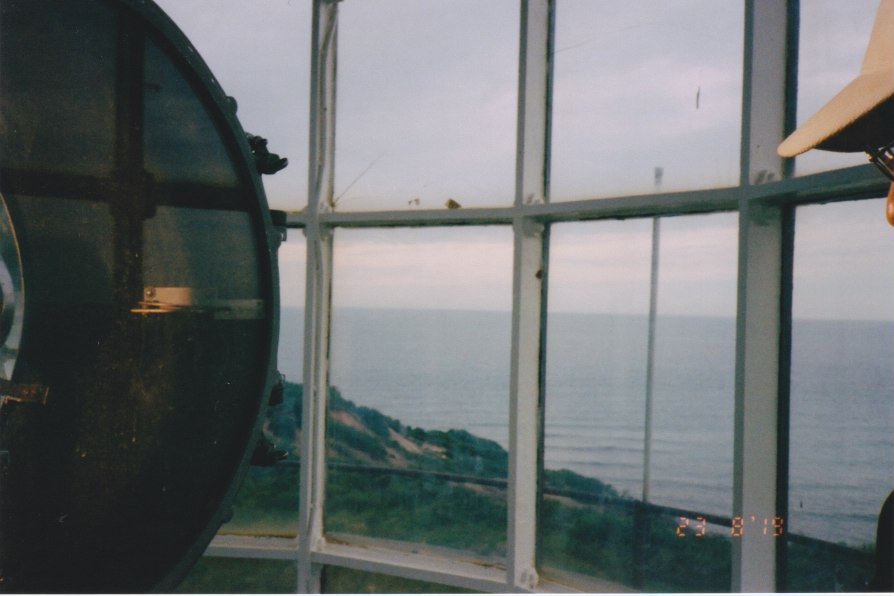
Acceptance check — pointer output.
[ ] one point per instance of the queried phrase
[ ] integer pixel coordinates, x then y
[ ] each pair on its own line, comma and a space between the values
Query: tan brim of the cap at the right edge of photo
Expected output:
832, 127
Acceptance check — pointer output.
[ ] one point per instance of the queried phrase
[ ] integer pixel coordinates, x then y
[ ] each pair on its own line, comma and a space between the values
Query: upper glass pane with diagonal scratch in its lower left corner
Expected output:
426, 103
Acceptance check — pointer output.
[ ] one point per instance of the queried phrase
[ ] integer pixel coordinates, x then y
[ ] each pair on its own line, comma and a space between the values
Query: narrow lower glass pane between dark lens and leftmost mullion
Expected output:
267, 502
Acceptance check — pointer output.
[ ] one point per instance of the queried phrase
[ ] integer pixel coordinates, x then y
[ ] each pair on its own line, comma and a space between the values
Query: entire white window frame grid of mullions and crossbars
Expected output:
763, 315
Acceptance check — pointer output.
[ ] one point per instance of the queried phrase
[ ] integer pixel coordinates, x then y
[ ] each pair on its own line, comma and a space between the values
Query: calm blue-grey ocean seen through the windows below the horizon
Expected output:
450, 369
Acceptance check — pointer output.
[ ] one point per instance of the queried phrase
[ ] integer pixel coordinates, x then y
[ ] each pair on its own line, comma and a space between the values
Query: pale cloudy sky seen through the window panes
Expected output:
426, 113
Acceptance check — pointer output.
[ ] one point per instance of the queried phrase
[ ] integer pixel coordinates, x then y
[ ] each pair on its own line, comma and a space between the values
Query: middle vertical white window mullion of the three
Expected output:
525, 413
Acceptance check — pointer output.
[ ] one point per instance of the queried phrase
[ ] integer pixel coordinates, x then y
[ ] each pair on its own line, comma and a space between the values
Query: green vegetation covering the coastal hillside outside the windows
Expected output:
447, 489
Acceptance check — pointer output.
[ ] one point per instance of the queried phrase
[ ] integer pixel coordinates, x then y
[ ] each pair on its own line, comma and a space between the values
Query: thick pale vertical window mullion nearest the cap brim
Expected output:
760, 317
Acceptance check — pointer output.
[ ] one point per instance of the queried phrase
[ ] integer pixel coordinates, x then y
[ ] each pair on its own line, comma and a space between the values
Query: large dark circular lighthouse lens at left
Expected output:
148, 316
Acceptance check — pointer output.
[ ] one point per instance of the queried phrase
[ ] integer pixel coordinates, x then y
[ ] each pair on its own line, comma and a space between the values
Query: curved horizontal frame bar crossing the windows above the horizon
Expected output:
854, 183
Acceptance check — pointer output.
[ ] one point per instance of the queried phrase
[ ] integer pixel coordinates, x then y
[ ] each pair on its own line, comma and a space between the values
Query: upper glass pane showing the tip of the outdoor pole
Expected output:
646, 85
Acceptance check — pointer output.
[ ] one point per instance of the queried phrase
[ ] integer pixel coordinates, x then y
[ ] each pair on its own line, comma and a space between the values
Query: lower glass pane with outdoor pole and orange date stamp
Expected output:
603, 517
